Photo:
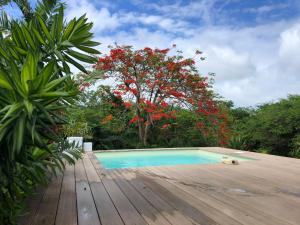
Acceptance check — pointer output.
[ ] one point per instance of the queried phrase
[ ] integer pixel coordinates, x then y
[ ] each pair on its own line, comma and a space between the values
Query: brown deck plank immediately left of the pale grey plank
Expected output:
67, 210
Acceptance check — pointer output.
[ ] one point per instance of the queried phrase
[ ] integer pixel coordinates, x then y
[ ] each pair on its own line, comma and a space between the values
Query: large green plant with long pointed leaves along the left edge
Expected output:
35, 88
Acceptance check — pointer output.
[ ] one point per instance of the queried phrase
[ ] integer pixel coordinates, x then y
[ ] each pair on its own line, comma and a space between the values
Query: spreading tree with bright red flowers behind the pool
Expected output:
154, 83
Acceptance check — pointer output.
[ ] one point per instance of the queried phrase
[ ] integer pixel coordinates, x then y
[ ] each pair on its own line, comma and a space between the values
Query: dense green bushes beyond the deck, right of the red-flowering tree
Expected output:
271, 128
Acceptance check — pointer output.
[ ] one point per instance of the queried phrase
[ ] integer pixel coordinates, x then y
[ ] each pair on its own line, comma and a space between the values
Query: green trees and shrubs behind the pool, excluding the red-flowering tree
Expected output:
272, 128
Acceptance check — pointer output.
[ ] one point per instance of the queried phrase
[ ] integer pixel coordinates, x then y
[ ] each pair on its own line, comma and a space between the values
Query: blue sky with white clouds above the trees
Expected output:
252, 46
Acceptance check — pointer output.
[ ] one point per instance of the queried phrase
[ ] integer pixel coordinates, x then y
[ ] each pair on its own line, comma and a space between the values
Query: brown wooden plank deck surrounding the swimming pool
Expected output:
260, 192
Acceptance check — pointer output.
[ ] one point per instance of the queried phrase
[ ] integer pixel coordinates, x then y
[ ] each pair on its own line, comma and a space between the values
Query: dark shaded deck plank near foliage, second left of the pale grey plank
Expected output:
48, 207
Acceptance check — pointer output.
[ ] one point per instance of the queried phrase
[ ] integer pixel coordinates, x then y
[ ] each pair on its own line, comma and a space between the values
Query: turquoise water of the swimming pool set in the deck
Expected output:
132, 159
